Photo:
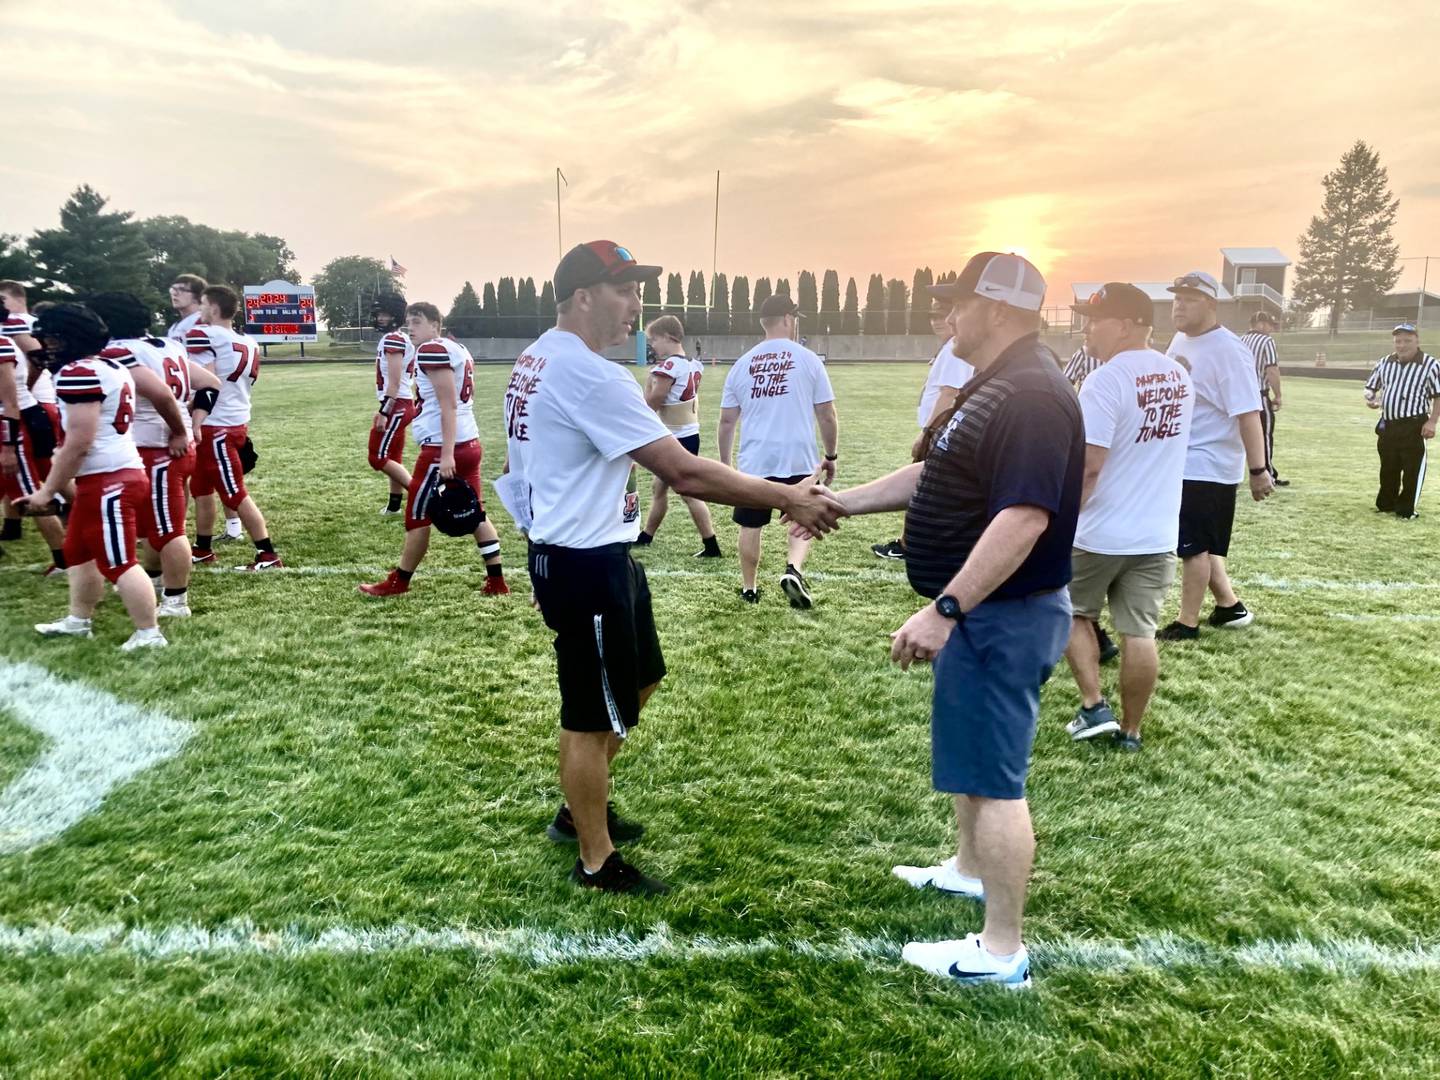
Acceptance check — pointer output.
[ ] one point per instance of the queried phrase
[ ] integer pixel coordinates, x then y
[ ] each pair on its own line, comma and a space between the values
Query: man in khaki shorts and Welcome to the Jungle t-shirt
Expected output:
1137, 410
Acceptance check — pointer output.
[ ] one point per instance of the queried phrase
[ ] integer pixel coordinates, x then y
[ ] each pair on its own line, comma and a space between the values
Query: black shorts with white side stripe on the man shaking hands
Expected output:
597, 601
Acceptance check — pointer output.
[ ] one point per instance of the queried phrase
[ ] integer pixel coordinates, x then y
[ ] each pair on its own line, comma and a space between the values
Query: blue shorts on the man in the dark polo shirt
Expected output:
987, 693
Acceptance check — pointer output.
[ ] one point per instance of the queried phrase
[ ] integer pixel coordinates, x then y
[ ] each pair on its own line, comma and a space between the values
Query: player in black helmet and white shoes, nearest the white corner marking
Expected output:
97, 410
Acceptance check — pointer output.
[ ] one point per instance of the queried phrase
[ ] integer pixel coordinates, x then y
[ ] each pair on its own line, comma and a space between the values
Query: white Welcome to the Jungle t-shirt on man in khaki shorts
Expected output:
1138, 405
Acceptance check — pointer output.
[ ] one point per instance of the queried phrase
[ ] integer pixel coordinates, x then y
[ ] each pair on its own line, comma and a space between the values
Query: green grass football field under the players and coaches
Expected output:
343, 873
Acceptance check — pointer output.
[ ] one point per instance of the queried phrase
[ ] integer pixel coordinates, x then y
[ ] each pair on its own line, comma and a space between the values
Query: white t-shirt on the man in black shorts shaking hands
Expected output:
572, 418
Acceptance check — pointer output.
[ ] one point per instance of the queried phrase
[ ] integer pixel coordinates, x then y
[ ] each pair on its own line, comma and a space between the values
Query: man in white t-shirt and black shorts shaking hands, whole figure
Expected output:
575, 426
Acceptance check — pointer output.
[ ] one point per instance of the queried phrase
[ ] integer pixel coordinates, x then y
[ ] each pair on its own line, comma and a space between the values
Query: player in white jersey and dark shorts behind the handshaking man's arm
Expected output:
673, 391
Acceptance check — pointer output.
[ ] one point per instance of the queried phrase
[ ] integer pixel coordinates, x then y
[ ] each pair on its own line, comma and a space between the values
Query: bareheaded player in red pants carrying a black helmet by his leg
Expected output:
450, 447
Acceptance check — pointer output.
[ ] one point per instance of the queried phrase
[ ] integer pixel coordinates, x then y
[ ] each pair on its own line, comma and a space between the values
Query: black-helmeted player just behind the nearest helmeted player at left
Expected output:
166, 555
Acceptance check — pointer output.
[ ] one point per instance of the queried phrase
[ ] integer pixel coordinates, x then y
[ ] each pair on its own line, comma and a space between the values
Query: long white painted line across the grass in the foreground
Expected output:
1346, 957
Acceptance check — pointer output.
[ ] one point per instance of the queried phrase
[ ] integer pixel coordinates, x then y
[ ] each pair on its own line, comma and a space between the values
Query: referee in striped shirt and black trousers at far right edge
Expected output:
1406, 390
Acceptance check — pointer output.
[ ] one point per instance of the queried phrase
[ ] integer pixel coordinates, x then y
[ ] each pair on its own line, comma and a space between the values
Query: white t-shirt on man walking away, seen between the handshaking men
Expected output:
777, 387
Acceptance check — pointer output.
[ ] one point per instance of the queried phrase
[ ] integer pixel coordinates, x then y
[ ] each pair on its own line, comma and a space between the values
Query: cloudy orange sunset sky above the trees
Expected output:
1107, 140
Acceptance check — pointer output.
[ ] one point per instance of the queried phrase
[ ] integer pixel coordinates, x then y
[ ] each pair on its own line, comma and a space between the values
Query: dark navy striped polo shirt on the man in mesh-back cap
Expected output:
1017, 441
